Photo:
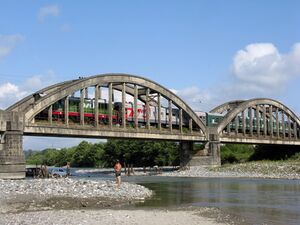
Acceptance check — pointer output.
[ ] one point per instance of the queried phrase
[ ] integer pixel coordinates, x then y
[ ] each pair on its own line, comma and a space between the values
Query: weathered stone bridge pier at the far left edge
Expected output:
12, 160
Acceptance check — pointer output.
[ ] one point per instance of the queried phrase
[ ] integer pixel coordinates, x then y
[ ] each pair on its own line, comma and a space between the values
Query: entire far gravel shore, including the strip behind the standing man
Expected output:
258, 169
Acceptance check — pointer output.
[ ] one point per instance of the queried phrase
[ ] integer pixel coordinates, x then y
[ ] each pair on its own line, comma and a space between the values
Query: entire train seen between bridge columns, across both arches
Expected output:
209, 119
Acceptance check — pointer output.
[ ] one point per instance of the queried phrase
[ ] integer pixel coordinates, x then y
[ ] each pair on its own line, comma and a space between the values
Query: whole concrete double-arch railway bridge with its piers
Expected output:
128, 106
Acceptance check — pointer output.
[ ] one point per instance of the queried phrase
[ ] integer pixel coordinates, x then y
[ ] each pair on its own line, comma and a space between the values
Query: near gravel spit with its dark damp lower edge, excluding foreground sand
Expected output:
46, 194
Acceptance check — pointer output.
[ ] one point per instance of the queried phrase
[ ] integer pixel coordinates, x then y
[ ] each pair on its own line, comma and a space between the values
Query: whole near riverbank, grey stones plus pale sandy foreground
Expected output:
70, 201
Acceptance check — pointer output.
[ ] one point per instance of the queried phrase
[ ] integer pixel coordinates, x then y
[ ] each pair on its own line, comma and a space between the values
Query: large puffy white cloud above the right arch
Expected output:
264, 69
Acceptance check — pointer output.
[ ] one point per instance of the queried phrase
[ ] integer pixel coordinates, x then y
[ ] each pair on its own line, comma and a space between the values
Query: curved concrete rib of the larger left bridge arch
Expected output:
43, 99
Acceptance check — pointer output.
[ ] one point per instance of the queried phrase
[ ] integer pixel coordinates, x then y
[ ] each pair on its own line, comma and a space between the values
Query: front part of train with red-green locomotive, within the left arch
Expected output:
103, 109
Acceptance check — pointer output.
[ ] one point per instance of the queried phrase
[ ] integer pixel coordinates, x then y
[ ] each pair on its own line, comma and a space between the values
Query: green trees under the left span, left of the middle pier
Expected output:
137, 153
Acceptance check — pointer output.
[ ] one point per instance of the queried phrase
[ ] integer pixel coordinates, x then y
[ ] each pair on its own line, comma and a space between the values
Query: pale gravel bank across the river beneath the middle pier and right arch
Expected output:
261, 169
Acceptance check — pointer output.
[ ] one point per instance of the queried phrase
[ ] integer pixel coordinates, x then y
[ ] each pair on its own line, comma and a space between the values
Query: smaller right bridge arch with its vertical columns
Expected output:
259, 117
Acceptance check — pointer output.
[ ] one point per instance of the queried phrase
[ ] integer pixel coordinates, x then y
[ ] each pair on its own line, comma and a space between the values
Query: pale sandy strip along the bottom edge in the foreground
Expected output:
107, 217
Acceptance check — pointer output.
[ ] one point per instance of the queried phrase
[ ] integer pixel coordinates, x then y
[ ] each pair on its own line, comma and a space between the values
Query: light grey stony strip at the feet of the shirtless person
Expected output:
67, 187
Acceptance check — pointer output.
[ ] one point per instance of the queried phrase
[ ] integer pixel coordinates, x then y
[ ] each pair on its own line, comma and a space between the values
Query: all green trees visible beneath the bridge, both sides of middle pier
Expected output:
150, 153
